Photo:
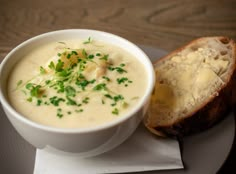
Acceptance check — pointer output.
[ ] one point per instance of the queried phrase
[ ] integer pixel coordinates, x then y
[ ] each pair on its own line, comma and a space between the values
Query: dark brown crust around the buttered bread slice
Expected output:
211, 111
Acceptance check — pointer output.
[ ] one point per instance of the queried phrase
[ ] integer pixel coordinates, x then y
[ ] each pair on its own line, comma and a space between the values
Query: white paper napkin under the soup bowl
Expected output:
141, 152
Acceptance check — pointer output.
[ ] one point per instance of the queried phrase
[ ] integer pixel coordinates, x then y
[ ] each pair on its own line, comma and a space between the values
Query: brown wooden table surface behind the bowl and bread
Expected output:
165, 24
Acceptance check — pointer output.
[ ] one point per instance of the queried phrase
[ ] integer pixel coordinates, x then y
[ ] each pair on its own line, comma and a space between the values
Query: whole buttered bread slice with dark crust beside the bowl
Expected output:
194, 87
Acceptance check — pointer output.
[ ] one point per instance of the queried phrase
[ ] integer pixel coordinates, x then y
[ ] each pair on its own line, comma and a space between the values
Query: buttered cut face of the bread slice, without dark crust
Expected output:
189, 78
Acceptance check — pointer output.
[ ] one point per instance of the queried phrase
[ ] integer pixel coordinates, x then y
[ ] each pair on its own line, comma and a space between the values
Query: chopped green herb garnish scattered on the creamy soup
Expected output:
68, 77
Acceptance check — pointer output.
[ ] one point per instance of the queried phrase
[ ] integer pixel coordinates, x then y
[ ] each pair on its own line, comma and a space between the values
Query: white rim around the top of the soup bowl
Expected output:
20, 117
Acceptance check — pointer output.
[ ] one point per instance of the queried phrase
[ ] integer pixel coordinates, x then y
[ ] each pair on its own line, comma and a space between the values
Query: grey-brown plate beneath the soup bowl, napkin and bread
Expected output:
203, 153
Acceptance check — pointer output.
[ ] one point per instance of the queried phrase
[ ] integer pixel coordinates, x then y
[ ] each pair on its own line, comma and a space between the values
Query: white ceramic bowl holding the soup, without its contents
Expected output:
85, 141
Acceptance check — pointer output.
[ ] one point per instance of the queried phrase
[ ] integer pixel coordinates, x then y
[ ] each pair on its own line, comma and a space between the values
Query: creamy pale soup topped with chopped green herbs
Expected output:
76, 84
